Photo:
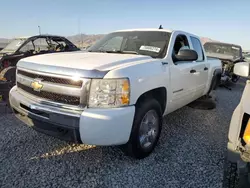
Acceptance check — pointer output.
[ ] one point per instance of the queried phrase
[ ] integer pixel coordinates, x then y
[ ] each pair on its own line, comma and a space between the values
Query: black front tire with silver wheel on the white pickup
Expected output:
144, 109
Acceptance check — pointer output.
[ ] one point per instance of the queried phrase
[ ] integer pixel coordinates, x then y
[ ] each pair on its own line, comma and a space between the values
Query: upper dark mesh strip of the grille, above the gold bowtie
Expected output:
57, 80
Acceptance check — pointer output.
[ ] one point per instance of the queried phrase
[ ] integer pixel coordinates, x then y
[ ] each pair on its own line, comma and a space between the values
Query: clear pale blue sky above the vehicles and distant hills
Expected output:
224, 20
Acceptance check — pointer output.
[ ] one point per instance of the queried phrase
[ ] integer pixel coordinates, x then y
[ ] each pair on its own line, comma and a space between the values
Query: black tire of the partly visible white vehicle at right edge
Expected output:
233, 177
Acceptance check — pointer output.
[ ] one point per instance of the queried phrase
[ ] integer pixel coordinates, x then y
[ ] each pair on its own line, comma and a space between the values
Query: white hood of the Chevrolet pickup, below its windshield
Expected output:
79, 62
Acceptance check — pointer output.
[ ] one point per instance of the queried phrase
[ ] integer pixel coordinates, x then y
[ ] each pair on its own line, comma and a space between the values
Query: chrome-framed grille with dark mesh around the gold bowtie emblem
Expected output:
55, 89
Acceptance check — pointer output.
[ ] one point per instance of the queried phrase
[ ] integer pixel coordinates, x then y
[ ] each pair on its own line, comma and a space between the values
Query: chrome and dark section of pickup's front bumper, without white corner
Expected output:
51, 121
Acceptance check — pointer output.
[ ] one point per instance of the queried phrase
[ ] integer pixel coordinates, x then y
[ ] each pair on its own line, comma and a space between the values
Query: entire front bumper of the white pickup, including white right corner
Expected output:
90, 126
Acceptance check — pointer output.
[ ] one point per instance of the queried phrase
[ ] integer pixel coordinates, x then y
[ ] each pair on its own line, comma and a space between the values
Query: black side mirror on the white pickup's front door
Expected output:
186, 55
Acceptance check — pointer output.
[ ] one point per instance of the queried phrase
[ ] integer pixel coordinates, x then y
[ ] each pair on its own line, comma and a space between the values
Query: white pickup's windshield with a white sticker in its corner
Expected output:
150, 43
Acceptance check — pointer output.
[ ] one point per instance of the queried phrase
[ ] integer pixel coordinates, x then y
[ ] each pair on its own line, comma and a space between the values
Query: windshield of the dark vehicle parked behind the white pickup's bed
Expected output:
224, 49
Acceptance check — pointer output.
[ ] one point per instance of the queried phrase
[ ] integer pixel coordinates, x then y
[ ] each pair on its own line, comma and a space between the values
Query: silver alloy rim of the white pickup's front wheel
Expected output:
149, 129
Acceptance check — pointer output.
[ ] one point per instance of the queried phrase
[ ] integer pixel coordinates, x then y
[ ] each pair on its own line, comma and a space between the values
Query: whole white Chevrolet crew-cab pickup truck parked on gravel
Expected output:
116, 93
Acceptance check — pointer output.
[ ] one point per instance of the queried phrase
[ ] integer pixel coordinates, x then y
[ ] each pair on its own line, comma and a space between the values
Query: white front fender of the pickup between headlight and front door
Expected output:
152, 74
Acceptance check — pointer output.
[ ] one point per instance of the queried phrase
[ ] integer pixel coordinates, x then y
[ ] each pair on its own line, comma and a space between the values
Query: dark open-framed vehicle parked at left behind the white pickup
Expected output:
24, 47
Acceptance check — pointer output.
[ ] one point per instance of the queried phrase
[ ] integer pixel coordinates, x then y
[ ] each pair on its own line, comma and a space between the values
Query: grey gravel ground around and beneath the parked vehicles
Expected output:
190, 154
